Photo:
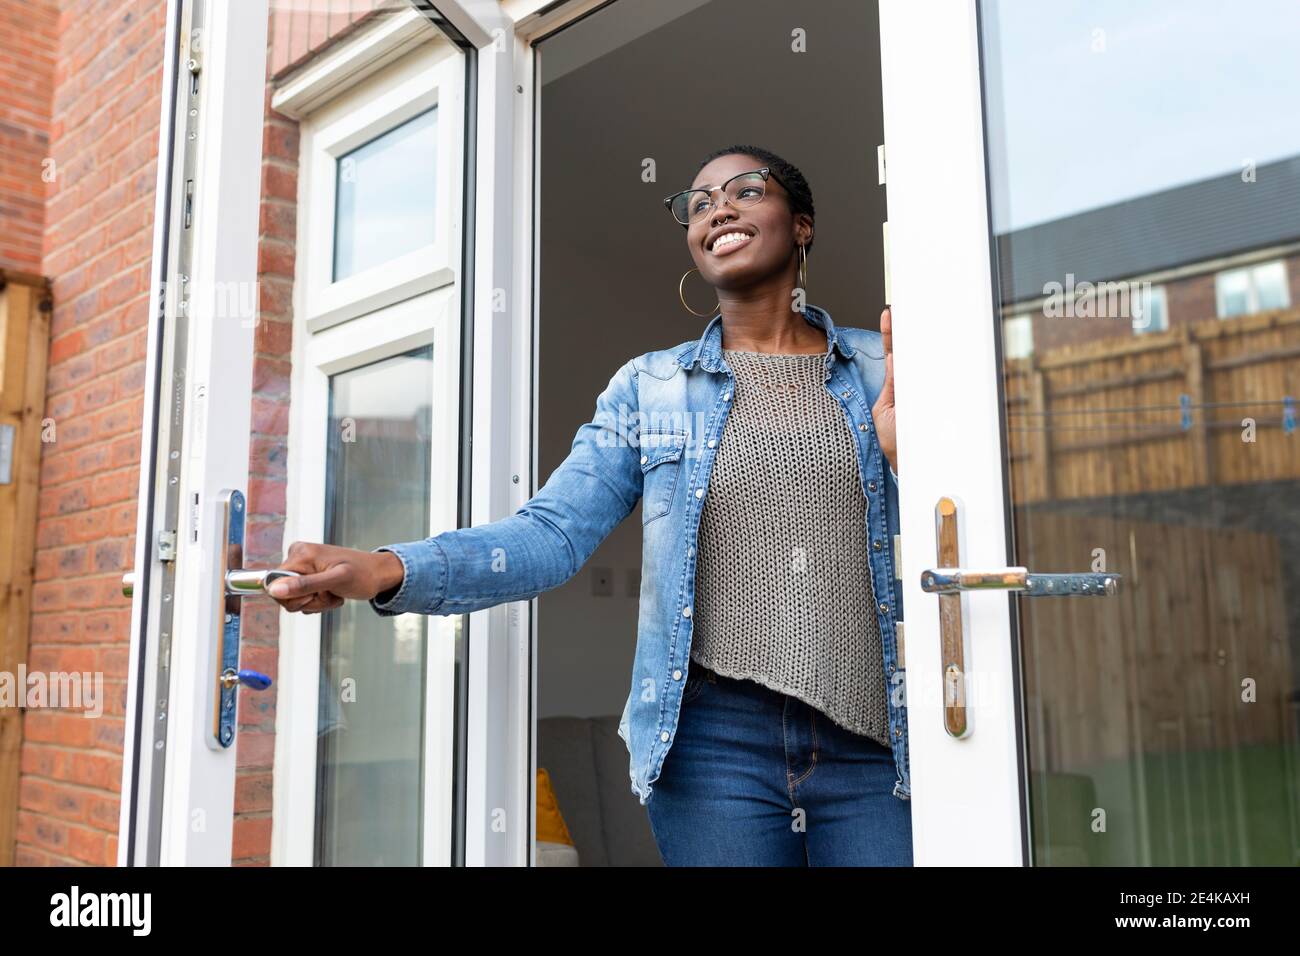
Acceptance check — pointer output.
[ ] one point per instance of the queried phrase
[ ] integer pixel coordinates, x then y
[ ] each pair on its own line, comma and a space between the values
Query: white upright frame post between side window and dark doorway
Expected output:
499, 789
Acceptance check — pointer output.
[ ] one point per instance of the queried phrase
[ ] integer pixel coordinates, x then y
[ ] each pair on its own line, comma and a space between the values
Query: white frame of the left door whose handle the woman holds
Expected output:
214, 226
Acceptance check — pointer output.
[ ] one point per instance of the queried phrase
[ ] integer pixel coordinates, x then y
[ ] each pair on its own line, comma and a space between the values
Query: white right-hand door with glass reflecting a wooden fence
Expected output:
1077, 397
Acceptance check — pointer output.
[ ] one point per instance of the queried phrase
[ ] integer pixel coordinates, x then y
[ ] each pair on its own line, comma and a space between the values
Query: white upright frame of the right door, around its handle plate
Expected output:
968, 795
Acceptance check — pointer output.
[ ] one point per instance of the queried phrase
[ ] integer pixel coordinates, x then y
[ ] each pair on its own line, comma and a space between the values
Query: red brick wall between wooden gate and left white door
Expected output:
97, 245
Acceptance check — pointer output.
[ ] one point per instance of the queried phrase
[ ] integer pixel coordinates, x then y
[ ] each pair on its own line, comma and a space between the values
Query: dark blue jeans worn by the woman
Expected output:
759, 778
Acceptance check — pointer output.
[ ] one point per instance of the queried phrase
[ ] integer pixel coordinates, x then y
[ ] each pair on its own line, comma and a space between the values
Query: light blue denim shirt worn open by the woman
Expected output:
655, 438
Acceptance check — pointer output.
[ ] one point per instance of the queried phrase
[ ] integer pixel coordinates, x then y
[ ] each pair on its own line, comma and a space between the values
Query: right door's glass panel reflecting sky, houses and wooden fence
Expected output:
1133, 148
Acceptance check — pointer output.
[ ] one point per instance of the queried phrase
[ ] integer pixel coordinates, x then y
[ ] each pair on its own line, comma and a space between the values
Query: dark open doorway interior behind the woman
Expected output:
631, 100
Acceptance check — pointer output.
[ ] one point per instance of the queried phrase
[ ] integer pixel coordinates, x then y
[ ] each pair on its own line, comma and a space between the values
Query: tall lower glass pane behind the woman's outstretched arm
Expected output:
370, 741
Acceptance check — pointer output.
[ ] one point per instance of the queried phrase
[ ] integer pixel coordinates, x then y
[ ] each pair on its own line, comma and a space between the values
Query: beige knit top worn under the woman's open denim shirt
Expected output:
783, 585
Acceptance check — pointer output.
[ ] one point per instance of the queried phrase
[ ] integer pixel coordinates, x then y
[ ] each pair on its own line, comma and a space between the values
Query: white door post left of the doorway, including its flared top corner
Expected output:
502, 746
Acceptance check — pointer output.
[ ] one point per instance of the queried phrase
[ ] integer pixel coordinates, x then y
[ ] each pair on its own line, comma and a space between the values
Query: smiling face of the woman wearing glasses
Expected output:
740, 248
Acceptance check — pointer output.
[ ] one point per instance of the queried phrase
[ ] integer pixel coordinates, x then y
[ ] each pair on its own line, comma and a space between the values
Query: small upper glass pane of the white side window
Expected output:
385, 197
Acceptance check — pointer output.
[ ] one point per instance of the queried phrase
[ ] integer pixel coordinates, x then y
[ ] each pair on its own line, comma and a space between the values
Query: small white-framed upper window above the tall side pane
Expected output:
380, 175
